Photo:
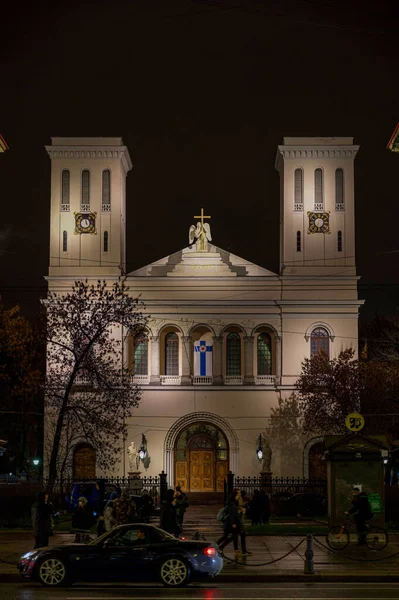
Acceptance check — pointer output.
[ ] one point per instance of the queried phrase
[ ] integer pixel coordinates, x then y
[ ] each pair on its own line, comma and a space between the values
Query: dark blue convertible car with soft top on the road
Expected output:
128, 552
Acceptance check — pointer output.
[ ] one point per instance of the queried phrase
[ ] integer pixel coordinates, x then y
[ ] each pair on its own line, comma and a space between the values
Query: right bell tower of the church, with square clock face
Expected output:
317, 208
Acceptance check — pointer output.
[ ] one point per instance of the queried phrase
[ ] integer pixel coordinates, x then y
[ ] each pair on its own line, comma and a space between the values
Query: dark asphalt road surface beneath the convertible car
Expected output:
214, 591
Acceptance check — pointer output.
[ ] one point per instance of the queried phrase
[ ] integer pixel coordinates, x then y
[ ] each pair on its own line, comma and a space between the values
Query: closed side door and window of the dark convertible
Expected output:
127, 556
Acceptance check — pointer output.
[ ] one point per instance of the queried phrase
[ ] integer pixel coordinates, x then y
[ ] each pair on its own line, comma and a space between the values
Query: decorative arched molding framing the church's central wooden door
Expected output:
186, 421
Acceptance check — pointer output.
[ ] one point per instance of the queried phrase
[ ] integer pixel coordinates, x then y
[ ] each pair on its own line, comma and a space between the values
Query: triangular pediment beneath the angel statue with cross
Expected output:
215, 262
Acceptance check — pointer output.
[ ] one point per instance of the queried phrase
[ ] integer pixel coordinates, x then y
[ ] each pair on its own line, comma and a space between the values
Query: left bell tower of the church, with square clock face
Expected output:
88, 206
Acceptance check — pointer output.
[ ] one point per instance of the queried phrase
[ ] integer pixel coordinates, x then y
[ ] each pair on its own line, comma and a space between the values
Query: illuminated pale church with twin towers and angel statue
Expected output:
226, 337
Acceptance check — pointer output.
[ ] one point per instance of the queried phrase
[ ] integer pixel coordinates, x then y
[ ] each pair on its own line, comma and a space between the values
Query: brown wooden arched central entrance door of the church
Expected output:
201, 458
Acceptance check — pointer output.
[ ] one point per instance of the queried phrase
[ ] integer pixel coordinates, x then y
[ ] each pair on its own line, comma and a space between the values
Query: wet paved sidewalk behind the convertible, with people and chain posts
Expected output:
328, 566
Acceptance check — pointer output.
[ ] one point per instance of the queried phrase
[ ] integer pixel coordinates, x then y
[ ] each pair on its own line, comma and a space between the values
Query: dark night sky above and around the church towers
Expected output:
201, 92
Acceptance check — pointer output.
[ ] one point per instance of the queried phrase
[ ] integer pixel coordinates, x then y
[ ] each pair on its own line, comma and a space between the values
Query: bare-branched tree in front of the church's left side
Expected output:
88, 388
